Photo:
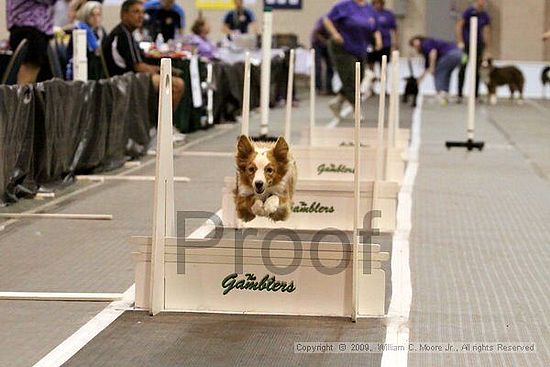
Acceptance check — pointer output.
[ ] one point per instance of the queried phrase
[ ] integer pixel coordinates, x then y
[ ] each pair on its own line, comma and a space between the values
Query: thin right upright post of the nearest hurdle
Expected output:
357, 195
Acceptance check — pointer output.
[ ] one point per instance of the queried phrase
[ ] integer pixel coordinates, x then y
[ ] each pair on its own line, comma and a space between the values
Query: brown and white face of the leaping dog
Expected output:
261, 165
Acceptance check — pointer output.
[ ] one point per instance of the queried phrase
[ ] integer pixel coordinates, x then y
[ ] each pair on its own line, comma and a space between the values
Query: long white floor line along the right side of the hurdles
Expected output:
397, 329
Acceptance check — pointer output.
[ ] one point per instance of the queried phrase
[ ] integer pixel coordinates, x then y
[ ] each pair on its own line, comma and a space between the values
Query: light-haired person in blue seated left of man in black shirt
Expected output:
89, 19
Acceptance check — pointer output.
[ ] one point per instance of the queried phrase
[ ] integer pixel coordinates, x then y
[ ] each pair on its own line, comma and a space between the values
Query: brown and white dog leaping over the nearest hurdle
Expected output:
266, 177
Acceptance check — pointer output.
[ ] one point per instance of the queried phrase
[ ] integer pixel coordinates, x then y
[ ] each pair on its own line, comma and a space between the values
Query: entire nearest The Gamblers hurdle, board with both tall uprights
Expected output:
352, 283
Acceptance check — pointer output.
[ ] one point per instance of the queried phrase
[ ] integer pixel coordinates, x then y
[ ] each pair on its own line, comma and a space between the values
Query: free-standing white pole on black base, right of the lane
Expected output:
470, 144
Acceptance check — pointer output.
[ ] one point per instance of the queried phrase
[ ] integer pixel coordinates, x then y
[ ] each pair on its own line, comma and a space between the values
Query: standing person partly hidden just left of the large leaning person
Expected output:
319, 42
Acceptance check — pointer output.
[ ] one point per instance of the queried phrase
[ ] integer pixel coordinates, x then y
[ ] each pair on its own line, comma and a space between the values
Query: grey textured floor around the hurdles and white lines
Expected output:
479, 257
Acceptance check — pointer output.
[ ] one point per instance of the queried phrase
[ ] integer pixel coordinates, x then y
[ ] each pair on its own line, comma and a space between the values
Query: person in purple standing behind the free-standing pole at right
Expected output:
476, 9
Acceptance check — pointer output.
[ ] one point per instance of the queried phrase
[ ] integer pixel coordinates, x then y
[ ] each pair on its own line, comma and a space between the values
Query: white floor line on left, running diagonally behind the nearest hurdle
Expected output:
64, 351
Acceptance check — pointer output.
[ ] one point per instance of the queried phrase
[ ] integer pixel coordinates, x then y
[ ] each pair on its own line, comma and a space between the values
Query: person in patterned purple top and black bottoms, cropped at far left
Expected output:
31, 20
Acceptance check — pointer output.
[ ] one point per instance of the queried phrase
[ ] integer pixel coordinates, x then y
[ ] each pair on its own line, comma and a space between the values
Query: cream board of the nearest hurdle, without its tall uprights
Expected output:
207, 273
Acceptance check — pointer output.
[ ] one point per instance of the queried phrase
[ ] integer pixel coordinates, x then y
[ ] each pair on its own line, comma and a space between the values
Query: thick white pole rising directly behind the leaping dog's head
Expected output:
266, 71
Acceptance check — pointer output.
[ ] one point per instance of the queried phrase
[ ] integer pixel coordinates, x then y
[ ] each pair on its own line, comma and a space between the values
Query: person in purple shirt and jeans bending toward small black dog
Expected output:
441, 58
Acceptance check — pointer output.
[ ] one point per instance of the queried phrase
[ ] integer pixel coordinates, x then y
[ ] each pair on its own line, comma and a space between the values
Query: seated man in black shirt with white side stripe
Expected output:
122, 52
